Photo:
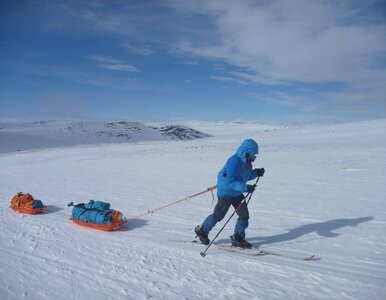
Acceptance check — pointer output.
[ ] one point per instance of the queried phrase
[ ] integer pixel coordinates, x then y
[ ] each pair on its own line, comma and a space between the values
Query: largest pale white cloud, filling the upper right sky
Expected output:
290, 41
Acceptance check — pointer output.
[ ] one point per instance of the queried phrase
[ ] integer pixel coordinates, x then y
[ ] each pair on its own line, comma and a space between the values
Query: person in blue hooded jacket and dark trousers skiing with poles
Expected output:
231, 184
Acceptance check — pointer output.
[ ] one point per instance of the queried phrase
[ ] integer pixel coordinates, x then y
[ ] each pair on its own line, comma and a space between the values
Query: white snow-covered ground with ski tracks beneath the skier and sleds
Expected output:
323, 193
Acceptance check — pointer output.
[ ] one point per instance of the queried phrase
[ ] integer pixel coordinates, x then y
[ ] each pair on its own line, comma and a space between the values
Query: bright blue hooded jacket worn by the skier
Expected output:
232, 178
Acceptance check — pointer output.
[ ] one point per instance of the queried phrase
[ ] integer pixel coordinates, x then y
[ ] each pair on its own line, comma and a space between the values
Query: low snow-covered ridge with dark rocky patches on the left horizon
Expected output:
48, 134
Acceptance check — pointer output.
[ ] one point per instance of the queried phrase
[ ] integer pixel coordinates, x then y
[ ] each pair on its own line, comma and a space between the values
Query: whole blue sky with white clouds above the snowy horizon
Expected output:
269, 61
